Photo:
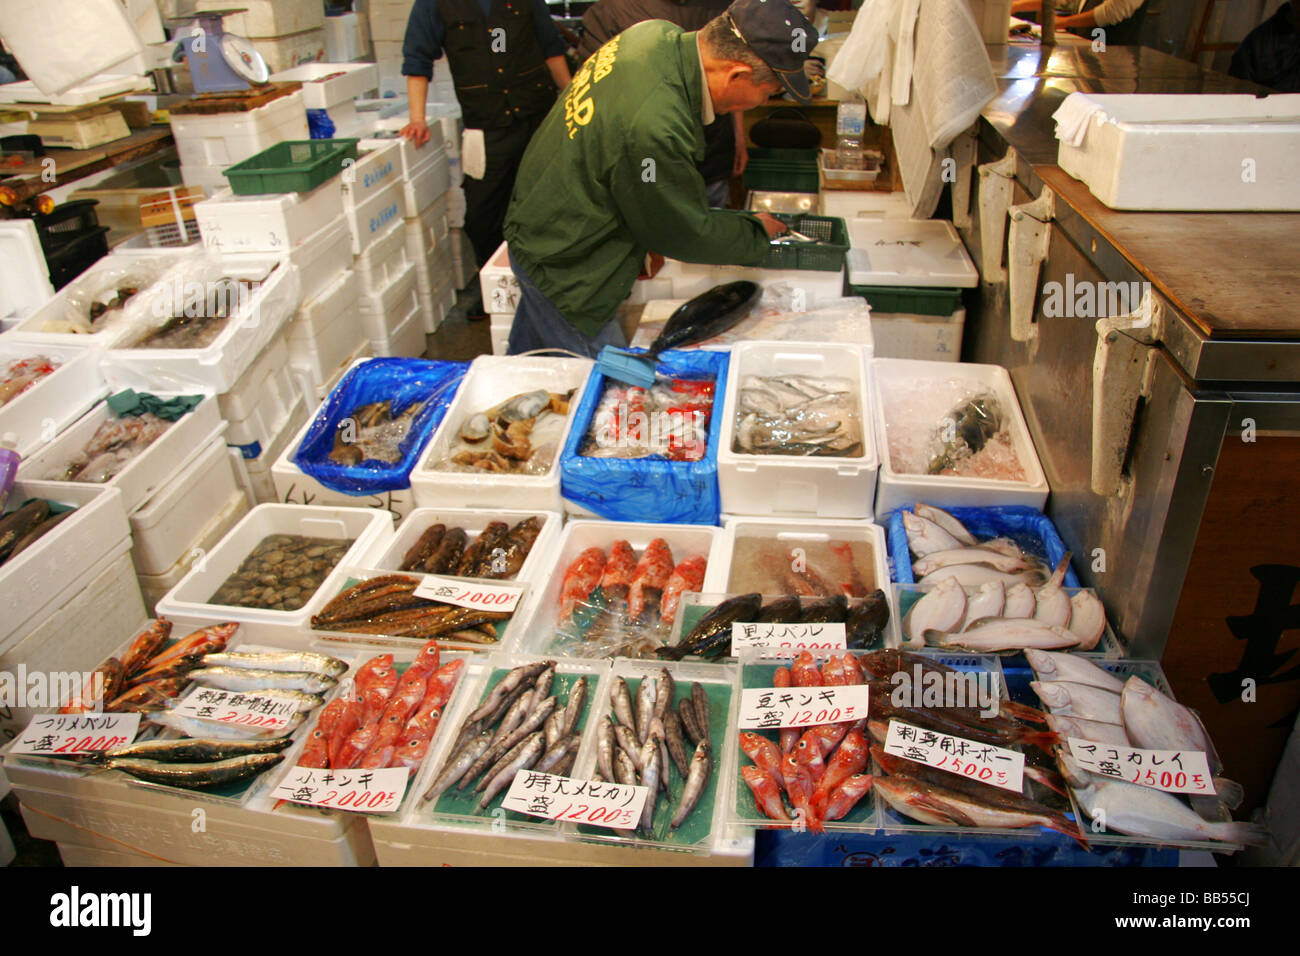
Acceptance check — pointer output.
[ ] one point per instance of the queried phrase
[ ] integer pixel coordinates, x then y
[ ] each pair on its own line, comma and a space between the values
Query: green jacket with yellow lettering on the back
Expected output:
612, 175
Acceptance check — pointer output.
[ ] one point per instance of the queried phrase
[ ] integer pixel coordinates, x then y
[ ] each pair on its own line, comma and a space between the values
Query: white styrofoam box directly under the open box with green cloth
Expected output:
166, 526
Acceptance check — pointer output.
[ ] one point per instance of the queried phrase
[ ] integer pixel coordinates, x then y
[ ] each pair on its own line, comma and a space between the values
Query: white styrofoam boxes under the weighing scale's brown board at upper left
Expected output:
210, 142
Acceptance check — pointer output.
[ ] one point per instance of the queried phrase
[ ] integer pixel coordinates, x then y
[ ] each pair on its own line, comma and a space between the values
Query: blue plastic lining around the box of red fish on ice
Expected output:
648, 490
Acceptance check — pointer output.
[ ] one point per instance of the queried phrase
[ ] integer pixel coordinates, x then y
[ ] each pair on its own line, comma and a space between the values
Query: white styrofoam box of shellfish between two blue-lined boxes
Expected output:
491, 382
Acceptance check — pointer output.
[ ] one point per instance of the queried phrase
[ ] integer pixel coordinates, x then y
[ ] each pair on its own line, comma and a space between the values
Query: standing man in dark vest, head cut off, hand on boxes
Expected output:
508, 62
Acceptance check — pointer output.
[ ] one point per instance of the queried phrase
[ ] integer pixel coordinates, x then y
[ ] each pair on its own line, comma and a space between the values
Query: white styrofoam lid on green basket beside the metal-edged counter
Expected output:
909, 253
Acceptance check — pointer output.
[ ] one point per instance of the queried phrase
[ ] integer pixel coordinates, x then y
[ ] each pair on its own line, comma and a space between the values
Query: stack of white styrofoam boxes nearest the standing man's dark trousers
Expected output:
426, 179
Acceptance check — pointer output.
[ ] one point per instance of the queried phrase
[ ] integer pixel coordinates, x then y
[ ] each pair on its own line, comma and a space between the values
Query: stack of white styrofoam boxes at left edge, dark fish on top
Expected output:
68, 599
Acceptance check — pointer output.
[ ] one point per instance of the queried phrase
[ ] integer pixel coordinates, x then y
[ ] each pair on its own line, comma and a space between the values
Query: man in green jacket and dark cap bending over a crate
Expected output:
612, 175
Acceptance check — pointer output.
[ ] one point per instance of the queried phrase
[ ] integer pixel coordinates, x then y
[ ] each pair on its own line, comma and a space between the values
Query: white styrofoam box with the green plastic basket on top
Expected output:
272, 223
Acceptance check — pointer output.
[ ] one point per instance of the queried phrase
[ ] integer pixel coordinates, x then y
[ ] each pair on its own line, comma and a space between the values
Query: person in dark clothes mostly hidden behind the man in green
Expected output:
725, 139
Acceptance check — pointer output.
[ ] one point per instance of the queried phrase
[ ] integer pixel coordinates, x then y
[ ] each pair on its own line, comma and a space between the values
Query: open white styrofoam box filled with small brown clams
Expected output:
189, 602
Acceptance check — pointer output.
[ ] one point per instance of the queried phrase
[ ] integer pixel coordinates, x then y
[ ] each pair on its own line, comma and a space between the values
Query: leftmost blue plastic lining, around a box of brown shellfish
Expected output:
401, 382
